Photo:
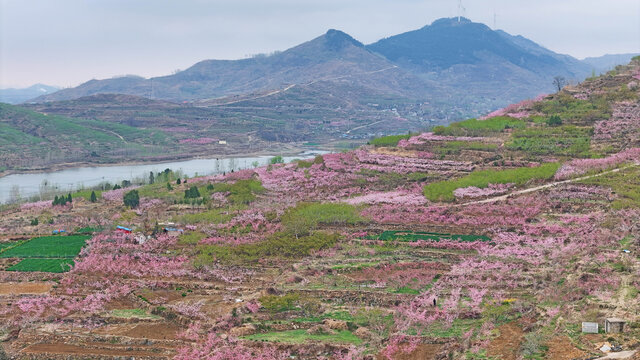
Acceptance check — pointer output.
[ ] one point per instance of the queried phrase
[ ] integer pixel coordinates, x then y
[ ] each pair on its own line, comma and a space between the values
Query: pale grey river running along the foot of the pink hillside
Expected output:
68, 180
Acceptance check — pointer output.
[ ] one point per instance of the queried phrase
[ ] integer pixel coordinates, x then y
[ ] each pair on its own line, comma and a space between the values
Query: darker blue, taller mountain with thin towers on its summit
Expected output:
471, 57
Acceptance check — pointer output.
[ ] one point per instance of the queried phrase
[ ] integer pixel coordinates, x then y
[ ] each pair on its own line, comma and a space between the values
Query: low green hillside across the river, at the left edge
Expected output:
30, 140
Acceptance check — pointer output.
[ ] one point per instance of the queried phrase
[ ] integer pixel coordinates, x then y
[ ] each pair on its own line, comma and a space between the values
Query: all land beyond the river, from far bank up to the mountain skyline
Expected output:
333, 91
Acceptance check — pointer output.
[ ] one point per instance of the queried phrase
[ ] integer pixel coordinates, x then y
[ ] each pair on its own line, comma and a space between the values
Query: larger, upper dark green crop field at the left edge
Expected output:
48, 247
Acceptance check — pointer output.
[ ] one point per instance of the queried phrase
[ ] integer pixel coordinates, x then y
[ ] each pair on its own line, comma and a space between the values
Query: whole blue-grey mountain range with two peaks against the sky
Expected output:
445, 65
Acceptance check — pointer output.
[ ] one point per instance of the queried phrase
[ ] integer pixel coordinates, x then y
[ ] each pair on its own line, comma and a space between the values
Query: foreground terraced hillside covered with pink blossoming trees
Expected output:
491, 238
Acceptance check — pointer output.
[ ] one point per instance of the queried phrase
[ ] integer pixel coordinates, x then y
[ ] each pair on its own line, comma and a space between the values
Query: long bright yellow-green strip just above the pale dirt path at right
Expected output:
443, 190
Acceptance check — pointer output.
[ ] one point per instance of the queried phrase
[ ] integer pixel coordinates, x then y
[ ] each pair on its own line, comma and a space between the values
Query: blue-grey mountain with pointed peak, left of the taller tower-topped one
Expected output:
334, 55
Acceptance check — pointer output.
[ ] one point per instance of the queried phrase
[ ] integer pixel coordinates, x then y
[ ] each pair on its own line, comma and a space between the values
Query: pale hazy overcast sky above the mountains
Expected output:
68, 42
